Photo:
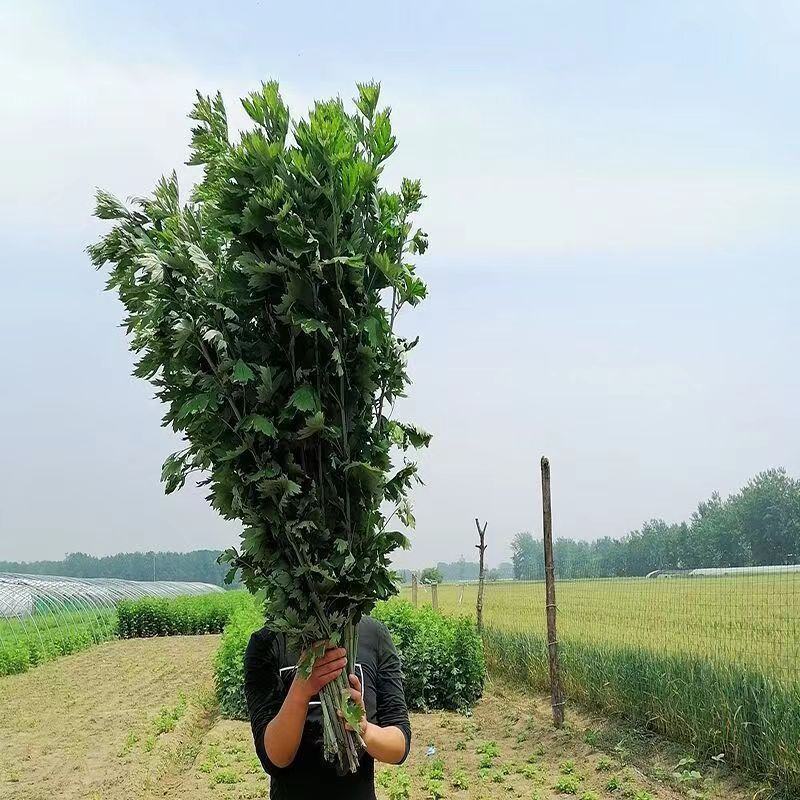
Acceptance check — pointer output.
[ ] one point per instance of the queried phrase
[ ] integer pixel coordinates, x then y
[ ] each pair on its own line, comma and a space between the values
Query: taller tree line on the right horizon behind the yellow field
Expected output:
757, 526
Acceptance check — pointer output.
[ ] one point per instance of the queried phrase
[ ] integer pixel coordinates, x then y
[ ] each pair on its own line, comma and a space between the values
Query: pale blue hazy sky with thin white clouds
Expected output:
614, 195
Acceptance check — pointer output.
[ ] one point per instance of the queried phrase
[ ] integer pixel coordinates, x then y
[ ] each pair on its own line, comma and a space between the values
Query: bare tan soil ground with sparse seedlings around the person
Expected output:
135, 719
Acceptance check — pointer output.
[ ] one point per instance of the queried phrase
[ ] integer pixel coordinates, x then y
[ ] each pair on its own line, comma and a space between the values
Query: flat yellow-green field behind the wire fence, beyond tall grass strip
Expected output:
749, 620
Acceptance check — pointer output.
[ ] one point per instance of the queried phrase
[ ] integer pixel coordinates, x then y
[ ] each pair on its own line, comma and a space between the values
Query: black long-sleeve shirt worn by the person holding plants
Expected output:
269, 671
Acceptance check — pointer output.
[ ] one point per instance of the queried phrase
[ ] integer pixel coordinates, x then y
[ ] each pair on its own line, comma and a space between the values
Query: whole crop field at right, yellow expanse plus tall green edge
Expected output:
713, 662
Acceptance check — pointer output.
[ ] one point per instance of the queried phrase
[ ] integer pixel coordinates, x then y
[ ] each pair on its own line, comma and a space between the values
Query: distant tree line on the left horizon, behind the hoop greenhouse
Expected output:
197, 565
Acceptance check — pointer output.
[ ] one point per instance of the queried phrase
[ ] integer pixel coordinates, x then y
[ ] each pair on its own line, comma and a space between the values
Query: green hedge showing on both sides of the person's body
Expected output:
442, 657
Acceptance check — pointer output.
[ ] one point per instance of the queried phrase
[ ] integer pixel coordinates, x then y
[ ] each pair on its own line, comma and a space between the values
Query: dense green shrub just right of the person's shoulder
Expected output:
442, 656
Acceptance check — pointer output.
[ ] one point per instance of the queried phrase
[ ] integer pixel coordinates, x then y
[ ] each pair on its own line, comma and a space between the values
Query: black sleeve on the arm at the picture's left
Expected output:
263, 691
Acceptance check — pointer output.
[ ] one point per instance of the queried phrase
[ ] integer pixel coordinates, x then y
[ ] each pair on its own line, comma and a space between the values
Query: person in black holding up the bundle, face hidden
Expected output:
286, 716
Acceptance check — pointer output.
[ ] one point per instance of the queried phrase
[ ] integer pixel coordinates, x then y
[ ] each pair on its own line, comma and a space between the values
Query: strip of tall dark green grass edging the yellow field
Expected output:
750, 717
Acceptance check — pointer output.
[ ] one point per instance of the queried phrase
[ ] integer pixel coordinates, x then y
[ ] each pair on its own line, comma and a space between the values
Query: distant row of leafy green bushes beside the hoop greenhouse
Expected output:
181, 616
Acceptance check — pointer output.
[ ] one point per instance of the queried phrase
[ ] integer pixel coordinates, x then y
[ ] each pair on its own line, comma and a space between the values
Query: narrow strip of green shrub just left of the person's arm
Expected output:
229, 661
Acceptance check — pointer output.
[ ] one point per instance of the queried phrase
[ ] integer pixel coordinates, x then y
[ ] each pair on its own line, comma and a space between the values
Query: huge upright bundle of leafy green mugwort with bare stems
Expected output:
263, 311
